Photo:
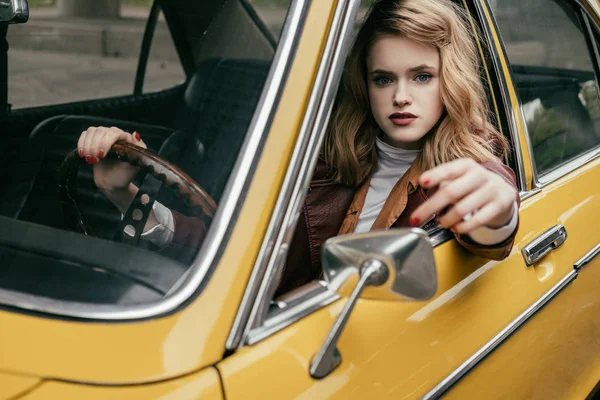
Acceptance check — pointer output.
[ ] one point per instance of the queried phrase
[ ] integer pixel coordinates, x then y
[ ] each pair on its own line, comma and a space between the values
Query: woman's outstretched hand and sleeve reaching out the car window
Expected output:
481, 203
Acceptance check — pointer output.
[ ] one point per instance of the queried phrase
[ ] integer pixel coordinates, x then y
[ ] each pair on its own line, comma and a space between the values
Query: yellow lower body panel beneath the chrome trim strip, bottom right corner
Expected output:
554, 356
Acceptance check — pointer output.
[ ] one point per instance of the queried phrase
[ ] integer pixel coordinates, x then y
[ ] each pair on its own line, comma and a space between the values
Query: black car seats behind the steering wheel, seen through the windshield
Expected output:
211, 125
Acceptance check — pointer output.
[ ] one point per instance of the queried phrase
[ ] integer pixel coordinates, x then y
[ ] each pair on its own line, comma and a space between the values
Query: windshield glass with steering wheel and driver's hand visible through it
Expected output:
124, 122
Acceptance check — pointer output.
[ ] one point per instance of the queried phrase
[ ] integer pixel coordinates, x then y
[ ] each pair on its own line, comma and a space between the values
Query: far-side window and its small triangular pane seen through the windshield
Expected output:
69, 52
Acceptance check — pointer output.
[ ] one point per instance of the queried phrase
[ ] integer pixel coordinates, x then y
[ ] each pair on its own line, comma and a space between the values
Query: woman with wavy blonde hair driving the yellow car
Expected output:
409, 144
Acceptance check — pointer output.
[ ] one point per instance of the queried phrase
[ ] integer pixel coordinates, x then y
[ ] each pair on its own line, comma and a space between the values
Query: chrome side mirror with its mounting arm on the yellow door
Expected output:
389, 265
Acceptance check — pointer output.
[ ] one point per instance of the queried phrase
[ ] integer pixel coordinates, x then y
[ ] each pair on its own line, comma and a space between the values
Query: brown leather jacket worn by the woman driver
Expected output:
332, 209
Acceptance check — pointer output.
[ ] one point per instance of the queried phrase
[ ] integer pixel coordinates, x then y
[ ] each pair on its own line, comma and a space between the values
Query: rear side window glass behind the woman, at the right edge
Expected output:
554, 73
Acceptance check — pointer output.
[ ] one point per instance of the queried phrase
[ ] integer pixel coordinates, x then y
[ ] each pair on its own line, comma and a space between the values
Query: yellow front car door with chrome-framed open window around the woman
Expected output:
421, 349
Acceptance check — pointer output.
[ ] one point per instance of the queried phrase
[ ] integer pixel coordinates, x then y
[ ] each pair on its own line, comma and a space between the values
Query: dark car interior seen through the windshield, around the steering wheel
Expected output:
199, 126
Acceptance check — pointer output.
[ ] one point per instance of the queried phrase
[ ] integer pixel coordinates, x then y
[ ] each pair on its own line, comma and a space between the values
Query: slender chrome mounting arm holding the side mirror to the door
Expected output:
372, 273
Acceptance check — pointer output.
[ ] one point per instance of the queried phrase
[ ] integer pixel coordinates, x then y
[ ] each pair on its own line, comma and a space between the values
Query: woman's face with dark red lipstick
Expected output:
404, 89
